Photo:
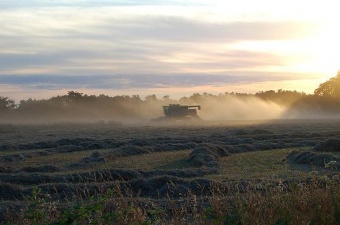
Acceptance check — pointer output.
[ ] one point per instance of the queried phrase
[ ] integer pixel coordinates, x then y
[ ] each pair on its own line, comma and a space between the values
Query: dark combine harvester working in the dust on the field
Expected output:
177, 112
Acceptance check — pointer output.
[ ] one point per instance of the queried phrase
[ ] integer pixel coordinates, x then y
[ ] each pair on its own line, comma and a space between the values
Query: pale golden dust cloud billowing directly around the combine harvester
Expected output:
226, 108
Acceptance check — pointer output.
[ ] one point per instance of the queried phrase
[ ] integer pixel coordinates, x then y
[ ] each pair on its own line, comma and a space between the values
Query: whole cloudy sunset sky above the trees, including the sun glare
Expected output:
169, 47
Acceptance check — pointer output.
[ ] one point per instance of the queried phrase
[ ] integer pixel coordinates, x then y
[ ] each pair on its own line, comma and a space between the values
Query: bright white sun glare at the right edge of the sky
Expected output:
317, 52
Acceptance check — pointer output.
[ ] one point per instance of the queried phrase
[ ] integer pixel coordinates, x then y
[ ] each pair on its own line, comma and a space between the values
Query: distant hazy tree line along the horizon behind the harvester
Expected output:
78, 105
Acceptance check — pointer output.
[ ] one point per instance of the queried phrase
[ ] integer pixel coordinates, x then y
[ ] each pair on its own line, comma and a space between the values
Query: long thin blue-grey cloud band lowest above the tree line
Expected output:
140, 81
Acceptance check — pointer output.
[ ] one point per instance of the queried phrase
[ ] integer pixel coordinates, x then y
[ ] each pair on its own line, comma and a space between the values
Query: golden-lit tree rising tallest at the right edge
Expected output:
330, 88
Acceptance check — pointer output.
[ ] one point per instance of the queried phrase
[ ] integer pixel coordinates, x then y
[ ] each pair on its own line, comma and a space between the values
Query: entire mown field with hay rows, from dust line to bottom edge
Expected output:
249, 172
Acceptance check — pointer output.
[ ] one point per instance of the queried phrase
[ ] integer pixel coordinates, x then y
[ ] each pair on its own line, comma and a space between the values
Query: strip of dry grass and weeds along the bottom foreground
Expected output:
315, 202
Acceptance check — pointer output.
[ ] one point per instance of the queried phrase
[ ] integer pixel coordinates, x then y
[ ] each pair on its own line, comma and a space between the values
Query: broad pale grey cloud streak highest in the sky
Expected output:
54, 26
